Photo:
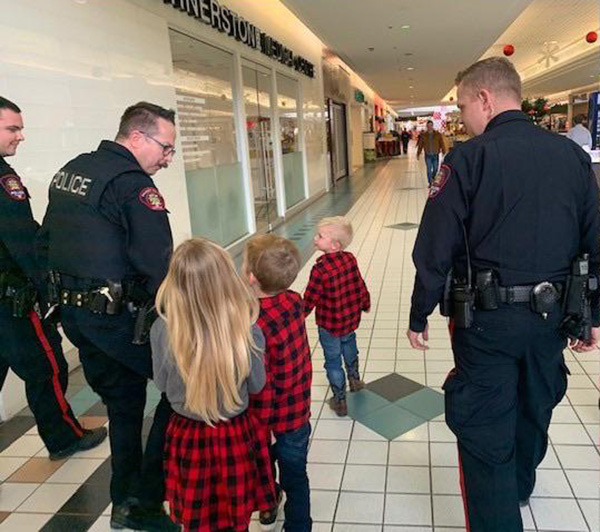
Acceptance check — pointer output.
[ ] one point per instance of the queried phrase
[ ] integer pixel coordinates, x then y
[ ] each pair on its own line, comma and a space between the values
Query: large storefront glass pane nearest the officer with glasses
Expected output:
203, 77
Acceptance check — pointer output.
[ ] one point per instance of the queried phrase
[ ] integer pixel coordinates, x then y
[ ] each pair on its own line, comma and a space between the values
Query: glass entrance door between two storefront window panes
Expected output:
257, 91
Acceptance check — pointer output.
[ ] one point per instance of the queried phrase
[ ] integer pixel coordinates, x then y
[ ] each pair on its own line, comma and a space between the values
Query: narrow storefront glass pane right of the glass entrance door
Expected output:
293, 168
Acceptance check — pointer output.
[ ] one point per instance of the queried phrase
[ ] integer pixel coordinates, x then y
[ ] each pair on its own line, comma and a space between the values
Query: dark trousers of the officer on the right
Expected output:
509, 374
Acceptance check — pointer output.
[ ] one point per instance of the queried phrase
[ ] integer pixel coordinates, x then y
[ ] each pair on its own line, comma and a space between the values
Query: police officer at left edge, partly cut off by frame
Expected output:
29, 346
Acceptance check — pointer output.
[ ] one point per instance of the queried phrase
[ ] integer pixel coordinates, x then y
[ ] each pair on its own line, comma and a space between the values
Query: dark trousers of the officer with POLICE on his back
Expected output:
118, 372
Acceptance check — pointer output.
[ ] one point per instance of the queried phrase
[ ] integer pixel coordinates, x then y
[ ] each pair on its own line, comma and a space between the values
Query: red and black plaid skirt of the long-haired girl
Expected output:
216, 476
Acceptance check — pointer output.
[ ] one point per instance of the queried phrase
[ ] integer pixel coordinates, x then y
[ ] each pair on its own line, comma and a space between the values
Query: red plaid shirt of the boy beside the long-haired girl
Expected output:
284, 403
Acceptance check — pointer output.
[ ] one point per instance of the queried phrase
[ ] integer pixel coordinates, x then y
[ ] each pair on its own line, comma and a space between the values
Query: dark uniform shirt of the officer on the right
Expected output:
528, 200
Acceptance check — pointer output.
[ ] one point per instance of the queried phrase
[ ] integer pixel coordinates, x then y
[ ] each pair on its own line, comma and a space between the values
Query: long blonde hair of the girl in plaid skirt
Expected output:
209, 312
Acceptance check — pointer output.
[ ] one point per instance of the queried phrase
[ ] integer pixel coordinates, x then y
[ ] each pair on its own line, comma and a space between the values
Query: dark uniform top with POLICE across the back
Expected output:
106, 220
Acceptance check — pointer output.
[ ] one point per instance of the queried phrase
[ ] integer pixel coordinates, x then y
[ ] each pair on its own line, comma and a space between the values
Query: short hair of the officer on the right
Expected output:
496, 74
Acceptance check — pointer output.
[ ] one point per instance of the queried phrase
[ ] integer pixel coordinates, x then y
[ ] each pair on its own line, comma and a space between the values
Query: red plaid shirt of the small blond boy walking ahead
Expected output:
338, 290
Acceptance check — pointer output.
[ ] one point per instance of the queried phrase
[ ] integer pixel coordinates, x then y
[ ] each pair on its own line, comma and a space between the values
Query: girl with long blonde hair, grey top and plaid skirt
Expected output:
207, 358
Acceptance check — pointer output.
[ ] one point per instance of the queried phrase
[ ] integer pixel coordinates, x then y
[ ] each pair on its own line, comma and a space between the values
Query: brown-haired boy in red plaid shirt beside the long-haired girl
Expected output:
271, 264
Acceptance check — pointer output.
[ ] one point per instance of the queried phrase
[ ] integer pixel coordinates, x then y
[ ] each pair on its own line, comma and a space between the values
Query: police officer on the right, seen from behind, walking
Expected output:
514, 214
